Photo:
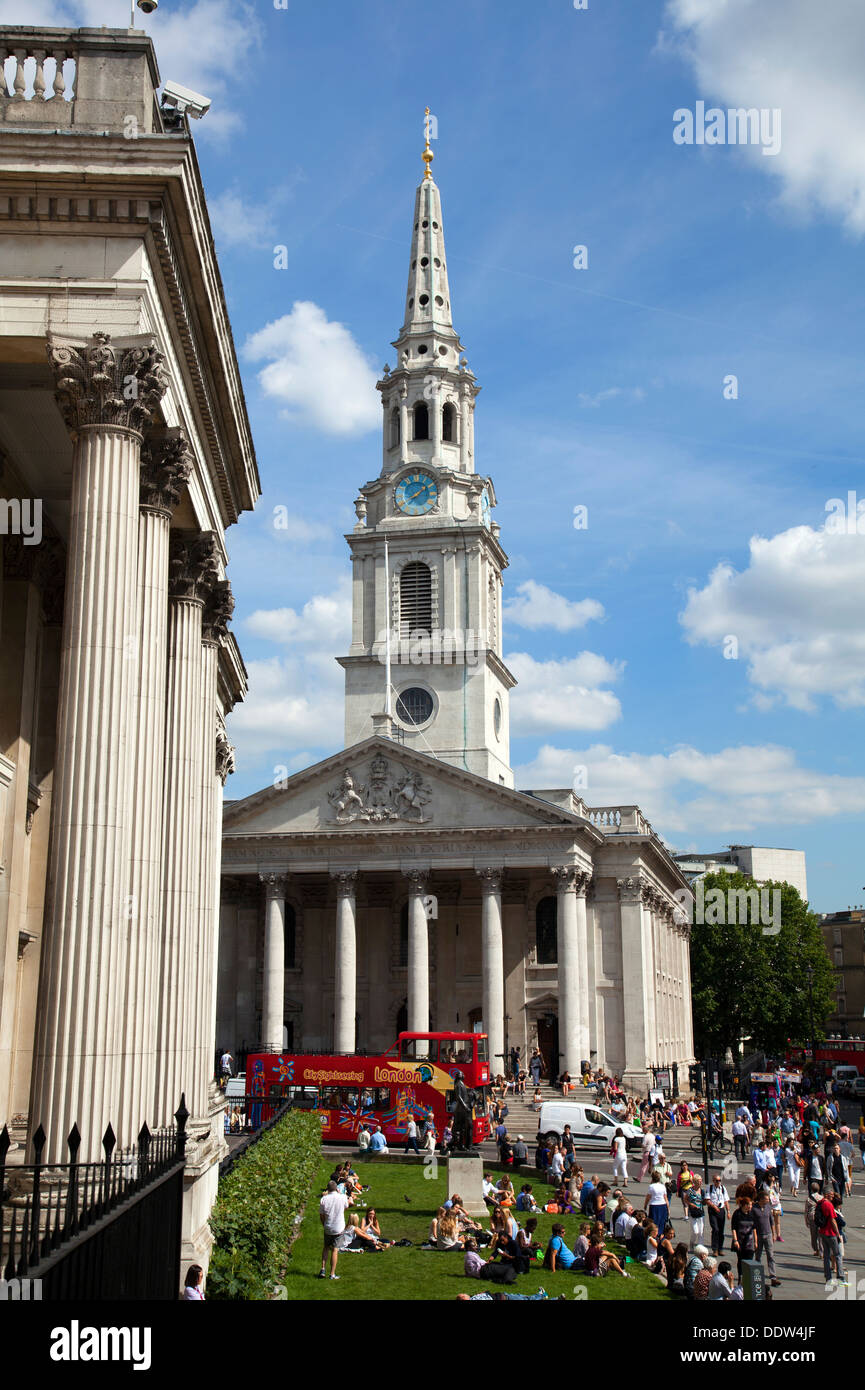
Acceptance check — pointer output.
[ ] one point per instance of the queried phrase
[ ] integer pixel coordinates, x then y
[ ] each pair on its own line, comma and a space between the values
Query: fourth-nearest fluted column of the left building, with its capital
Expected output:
219, 607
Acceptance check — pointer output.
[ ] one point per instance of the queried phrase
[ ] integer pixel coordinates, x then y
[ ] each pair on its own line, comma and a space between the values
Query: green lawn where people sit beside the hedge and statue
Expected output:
405, 1273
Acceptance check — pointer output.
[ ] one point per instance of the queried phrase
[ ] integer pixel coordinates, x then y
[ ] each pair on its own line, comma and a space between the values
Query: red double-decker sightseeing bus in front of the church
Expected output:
411, 1079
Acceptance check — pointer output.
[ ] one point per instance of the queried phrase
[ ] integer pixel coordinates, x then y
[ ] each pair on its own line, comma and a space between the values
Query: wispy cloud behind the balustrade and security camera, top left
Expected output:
202, 47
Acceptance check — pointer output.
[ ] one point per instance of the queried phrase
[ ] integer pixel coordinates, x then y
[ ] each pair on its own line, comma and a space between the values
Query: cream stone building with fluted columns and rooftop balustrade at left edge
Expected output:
126, 455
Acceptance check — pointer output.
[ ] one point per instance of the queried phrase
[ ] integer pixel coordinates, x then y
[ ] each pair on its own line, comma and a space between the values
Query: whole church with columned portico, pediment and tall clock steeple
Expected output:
554, 922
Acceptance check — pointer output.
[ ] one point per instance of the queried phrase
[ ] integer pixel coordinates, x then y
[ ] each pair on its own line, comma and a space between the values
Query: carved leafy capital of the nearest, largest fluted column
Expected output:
104, 383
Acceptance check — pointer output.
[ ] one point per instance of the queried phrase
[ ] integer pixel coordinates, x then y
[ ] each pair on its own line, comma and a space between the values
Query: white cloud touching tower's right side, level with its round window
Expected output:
564, 694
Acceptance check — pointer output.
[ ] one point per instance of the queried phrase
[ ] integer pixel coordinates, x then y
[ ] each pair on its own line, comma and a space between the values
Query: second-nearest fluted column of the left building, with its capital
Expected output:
165, 468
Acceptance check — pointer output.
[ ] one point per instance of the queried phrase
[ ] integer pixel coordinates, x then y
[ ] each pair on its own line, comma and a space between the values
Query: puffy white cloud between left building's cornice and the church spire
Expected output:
318, 370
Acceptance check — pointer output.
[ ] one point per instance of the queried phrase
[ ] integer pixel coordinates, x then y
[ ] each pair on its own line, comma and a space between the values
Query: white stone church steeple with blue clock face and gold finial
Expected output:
426, 664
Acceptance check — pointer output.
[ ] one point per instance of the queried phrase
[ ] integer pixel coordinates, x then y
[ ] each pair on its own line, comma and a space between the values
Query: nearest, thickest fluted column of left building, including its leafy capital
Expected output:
108, 394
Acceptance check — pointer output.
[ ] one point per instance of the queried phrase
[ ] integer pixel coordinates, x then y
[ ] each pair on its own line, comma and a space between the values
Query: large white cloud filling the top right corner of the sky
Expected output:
798, 56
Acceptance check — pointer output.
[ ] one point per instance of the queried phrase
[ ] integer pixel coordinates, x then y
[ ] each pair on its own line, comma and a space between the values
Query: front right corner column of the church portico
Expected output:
572, 942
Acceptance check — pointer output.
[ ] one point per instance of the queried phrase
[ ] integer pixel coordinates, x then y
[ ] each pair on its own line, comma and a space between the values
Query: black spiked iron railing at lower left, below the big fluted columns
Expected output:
106, 1229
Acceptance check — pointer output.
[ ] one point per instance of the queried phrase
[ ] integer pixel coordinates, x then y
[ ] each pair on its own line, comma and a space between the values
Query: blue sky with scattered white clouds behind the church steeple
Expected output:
601, 387
